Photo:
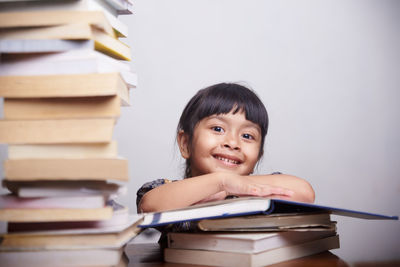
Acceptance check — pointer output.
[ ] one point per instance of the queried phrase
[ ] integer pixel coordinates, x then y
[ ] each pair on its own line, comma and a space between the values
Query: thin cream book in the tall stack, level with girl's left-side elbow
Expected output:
55, 214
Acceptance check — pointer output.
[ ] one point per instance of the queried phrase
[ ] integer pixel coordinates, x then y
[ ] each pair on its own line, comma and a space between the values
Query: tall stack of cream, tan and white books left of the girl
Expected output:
63, 76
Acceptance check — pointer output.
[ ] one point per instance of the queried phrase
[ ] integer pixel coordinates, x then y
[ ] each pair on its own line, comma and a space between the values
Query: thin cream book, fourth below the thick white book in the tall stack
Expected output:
66, 151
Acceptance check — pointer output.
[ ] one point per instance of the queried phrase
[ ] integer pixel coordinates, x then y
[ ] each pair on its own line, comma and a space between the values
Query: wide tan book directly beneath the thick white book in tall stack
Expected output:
71, 85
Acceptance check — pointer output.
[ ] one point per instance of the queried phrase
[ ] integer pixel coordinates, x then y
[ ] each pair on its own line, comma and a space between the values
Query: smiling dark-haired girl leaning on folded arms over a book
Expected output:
221, 134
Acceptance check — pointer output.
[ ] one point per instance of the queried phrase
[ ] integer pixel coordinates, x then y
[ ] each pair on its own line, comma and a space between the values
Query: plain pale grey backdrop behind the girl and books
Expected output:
328, 73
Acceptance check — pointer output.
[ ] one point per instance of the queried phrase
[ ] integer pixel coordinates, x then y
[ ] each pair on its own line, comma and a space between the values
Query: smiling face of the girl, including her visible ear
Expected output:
224, 142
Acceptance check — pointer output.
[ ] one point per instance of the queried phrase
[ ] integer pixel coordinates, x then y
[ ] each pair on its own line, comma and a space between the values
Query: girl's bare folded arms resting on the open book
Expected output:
215, 186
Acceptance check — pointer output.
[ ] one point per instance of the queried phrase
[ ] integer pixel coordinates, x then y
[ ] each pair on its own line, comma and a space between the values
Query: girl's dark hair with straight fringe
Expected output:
223, 98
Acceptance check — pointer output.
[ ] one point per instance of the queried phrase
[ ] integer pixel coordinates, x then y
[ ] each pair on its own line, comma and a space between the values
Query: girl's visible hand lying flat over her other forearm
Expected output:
238, 185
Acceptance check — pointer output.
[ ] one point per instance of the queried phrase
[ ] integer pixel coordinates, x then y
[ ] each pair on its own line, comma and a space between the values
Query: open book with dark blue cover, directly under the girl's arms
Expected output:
248, 206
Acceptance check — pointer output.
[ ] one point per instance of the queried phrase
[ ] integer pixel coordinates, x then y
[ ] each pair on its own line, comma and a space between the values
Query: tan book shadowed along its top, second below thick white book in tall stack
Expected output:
61, 108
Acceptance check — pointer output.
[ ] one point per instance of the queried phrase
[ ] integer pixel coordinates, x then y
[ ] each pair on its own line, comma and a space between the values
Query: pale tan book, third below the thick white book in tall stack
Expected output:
56, 131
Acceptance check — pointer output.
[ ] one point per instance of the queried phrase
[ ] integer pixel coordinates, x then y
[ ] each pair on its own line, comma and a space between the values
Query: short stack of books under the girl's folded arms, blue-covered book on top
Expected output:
251, 231
